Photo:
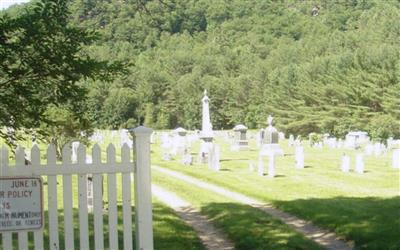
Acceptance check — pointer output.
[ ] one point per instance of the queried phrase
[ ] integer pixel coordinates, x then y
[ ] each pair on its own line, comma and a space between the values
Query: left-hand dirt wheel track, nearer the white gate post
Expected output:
211, 237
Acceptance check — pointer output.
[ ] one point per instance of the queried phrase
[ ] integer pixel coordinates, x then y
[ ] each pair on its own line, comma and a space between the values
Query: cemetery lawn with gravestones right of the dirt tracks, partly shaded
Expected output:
360, 208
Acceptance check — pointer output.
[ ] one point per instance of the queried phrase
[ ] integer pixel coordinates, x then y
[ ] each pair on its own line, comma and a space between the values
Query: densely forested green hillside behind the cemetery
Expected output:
333, 71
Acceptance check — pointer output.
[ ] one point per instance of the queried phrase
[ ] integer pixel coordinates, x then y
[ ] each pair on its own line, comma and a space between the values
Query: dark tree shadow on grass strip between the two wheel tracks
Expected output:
250, 228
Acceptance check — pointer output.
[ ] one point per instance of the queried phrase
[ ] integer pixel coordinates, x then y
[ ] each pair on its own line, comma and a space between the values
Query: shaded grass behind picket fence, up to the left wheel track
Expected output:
170, 233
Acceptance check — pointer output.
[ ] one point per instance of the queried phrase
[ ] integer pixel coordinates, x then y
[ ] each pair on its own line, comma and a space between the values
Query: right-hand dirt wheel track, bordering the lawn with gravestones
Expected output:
321, 236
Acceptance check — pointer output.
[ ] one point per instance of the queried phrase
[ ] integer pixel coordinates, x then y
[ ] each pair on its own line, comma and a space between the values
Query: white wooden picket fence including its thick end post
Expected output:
98, 169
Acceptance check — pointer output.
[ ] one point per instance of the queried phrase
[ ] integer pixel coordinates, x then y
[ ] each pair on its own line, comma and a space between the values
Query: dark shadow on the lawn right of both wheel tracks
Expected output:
371, 222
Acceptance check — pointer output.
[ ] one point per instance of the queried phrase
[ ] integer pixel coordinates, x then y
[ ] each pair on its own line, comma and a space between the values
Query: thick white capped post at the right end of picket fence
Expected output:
143, 205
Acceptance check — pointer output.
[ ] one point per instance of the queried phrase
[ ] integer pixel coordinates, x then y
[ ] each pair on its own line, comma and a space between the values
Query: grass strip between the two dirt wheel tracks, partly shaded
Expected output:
247, 227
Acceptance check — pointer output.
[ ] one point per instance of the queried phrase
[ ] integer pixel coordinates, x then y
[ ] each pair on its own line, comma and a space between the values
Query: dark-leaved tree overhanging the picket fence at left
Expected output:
42, 64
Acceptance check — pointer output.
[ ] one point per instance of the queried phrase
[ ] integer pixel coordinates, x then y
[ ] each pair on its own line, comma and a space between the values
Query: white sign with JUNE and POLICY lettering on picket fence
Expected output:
21, 203
